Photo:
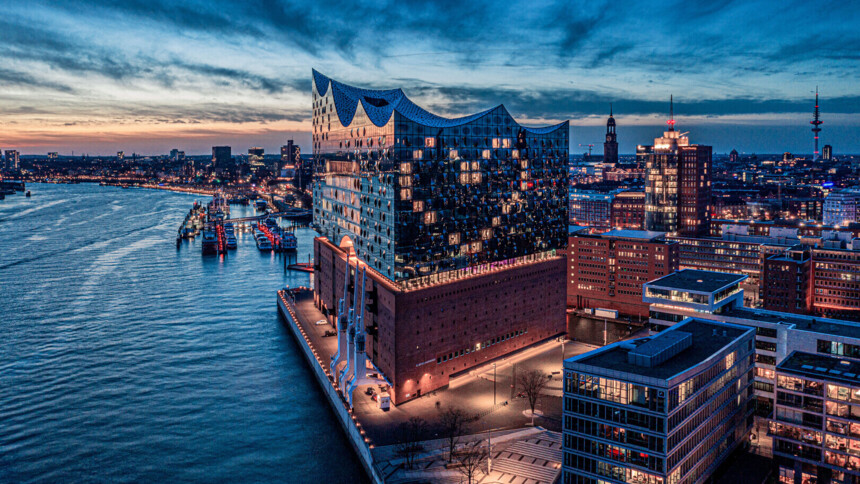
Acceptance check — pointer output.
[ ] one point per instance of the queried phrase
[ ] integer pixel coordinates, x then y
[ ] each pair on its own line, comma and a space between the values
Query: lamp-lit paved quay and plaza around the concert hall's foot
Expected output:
372, 432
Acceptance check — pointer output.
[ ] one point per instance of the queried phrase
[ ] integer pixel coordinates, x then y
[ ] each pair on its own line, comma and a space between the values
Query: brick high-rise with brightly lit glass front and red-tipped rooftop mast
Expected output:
678, 186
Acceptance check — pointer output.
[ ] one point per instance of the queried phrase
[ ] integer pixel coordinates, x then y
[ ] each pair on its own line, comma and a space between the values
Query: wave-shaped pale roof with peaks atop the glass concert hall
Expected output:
380, 104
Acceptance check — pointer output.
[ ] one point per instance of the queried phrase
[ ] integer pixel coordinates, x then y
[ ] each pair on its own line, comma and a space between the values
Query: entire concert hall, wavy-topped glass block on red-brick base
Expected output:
459, 223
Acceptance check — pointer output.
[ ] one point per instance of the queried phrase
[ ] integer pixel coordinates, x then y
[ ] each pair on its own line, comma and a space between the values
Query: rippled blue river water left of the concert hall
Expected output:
125, 359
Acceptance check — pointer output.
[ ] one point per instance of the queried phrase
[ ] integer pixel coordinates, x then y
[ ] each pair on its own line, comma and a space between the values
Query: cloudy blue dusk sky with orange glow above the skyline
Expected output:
150, 75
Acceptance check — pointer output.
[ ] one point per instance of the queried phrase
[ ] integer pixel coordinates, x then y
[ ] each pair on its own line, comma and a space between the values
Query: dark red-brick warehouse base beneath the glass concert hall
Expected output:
420, 337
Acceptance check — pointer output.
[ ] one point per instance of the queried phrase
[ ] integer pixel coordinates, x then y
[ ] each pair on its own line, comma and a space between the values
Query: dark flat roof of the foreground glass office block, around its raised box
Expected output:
704, 345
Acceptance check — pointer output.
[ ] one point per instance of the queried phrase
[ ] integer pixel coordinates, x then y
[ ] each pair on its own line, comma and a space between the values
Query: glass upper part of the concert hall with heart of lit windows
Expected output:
418, 195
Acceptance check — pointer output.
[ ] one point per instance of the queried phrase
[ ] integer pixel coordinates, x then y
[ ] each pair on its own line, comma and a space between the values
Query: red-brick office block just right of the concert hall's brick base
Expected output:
607, 271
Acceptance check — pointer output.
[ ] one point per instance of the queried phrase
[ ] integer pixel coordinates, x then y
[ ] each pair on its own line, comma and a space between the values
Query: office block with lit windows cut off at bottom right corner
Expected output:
815, 429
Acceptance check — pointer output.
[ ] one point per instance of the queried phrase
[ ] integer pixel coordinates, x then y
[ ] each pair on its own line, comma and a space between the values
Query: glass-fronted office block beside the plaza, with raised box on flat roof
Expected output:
662, 409
